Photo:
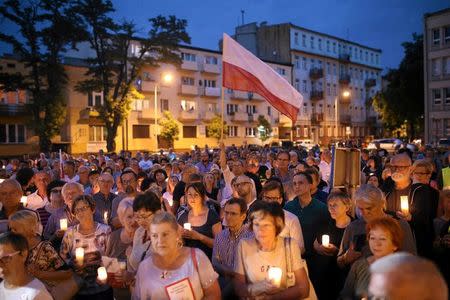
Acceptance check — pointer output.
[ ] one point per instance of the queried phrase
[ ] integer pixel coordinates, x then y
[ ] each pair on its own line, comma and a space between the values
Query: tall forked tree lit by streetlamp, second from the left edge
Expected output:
113, 71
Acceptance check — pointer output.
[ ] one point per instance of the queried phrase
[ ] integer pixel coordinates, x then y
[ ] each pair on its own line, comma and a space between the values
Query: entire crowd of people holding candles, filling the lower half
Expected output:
226, 223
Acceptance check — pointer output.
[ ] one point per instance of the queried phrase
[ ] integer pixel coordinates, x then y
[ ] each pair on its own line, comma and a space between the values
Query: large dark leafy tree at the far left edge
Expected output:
48, 28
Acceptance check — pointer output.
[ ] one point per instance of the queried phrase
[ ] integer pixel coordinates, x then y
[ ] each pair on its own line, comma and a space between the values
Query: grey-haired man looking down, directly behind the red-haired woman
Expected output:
370, 203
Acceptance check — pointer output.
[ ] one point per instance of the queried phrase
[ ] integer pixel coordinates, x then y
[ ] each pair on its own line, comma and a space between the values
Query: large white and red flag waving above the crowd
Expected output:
245, 72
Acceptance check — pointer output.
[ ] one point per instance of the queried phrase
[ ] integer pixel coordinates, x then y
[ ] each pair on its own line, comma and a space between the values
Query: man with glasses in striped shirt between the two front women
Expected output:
226, 242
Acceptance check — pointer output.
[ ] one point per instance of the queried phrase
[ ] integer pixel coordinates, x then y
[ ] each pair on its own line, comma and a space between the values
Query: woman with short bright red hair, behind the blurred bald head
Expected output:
385, 237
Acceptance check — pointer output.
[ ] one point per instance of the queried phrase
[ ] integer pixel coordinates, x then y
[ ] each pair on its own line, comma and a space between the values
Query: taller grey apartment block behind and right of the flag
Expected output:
334, 75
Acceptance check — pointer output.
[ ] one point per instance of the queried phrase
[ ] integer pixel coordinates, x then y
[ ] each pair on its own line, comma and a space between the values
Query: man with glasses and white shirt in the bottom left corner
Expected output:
17, 282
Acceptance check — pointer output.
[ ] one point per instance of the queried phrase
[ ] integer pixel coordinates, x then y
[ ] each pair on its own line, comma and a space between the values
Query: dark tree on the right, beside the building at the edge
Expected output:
402, 103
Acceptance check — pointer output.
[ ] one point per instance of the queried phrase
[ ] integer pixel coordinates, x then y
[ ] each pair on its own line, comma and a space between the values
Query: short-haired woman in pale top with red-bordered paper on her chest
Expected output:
173, 269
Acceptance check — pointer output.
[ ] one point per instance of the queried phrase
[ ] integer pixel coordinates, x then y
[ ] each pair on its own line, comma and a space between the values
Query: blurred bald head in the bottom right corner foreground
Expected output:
404, 276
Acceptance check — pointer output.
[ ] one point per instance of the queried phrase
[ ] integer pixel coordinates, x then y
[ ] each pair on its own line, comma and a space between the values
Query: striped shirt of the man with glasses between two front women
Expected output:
225, 245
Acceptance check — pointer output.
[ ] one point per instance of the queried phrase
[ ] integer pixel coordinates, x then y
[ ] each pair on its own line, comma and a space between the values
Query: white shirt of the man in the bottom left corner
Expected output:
34, 290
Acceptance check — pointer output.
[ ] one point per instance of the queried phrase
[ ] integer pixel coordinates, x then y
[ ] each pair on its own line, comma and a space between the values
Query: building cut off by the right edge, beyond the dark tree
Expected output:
437, 75
